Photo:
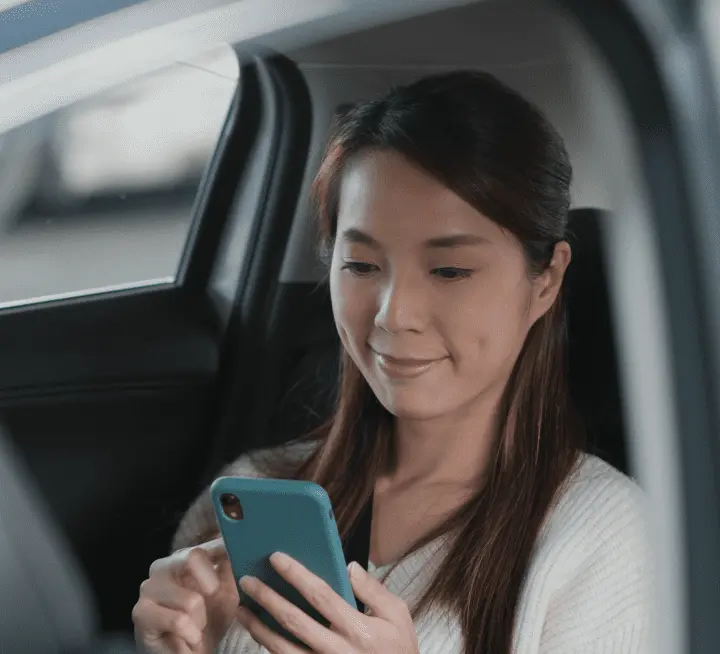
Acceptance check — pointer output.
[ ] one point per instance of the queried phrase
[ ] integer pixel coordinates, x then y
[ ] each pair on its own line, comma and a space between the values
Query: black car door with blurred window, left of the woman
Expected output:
141, 213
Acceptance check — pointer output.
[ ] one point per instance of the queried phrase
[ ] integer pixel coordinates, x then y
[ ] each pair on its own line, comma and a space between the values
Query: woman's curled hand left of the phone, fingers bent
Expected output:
188, 603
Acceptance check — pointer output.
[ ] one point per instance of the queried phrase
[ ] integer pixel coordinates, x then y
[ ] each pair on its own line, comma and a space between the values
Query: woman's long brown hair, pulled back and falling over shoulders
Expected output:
499, 153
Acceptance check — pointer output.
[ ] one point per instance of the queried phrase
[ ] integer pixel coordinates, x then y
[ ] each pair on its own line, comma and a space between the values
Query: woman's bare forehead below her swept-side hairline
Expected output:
381, 192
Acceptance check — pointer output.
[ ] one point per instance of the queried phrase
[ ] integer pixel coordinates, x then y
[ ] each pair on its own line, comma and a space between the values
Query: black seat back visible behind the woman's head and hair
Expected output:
593, 373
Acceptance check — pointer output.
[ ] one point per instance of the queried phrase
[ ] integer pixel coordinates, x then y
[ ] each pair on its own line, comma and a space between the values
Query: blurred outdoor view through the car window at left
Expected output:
99, 195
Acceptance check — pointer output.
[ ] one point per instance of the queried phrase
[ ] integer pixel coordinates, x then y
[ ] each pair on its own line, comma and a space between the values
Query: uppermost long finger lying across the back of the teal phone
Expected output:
316, 591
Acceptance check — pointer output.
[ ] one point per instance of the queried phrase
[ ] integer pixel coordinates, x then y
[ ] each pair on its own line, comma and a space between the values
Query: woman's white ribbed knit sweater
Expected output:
588, 589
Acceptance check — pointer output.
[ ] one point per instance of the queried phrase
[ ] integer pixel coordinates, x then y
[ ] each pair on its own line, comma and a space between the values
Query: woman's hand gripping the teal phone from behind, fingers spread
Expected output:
389, 629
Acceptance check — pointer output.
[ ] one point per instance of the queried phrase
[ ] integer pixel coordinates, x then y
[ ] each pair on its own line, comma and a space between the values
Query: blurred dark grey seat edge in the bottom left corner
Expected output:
45, 603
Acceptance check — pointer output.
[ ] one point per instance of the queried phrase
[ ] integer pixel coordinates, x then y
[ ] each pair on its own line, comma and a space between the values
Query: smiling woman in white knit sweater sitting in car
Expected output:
443, 207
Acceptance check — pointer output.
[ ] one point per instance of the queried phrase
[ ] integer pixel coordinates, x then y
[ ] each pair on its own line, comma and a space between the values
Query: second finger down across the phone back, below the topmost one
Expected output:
291, 618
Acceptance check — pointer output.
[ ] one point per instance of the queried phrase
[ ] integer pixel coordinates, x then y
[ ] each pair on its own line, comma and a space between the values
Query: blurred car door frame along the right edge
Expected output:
661, 54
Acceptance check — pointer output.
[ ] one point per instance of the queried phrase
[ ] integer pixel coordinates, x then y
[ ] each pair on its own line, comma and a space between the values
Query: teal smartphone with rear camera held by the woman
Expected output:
257, 517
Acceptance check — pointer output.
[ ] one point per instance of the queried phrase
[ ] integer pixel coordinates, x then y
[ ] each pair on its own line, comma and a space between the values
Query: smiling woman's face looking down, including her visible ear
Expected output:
432, 300
